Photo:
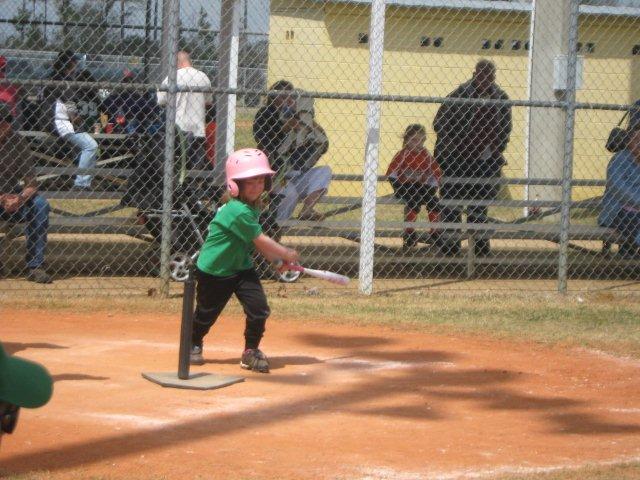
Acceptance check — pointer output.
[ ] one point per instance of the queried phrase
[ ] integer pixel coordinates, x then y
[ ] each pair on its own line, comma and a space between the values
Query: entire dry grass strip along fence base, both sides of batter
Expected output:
604, 321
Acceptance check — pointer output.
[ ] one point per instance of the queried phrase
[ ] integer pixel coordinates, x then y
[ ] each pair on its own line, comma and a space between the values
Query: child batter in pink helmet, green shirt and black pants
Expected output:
225, 265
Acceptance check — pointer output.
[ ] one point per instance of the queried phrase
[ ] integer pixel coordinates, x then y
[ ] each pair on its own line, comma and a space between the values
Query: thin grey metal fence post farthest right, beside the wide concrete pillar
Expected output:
567, 167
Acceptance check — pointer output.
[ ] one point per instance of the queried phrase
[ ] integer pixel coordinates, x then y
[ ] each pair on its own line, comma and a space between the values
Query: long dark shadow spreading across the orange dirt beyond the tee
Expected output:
407, 384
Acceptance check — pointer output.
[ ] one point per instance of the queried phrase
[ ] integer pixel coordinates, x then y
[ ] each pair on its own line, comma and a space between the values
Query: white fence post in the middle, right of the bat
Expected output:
370, 178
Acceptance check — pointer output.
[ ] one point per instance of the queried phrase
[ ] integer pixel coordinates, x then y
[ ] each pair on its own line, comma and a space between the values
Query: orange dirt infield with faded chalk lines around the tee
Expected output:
341, 403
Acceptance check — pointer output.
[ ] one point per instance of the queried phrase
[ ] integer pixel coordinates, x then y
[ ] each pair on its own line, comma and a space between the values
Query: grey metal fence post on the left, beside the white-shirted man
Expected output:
169, 148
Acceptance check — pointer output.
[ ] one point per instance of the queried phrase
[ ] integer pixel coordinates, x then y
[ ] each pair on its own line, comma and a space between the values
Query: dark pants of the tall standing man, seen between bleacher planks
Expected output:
475, 214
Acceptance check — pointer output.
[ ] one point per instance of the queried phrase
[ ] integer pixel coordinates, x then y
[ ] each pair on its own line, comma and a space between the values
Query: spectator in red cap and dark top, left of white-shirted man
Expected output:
127, 110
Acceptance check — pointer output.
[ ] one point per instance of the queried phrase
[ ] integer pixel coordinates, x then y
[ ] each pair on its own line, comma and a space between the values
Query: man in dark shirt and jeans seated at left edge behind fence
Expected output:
21, 203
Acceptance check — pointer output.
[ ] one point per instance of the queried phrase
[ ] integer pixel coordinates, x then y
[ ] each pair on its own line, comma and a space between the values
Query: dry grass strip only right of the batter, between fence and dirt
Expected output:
612, 326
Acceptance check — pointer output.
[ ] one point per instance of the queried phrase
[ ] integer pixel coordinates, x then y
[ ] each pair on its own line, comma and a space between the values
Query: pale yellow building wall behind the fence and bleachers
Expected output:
316, 47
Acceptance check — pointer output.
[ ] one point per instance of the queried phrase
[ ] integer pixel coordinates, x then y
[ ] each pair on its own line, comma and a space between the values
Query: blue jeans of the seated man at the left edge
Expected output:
36, 215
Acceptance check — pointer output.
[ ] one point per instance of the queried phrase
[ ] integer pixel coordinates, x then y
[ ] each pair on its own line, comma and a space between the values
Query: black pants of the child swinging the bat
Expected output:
212, 295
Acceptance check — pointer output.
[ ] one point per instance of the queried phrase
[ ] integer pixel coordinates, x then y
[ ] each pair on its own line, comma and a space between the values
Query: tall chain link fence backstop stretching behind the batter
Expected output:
417, 143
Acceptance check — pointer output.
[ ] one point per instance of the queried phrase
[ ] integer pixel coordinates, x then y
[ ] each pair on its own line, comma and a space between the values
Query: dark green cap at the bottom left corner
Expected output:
23, 383
